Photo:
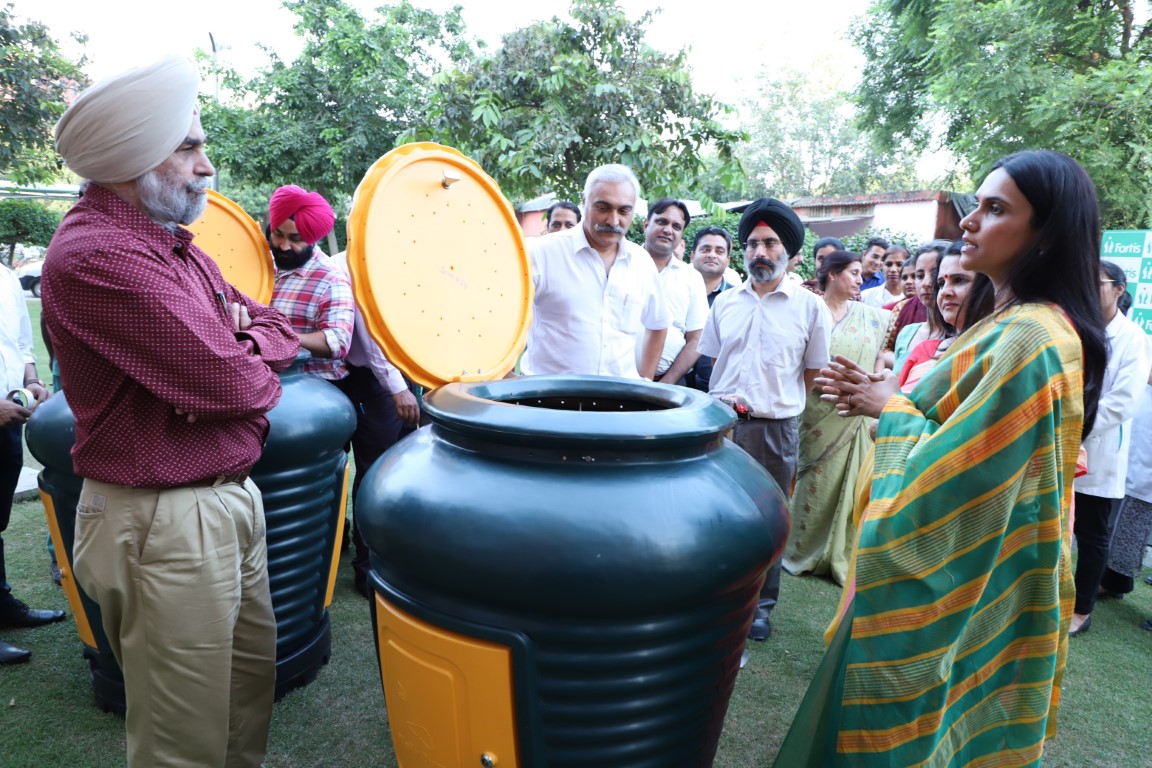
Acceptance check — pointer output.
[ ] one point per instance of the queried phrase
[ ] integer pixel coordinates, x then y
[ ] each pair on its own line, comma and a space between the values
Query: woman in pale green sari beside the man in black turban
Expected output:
832, 448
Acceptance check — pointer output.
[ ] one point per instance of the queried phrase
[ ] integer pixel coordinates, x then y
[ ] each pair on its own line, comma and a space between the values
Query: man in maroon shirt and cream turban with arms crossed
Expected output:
170, 372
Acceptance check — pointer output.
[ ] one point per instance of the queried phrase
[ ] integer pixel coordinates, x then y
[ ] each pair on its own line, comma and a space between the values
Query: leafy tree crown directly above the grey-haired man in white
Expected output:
557, 101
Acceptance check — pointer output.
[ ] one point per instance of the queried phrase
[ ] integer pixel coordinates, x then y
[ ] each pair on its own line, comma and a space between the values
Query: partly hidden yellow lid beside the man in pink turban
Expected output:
237, 244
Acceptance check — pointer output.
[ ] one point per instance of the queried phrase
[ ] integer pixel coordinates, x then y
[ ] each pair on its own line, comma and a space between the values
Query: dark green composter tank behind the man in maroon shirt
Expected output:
301, 476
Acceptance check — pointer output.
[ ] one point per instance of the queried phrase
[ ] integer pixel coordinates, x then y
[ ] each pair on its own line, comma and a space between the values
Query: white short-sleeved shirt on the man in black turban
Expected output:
763, 346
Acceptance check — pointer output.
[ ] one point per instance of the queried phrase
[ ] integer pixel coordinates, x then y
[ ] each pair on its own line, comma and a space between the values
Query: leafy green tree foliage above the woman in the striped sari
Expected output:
994, 78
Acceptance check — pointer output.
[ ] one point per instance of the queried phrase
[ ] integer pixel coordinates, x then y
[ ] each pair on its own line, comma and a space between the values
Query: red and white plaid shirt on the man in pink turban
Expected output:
315, 298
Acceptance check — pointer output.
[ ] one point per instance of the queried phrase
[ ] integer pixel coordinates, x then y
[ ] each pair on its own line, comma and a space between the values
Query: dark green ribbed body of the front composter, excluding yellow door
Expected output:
607, 533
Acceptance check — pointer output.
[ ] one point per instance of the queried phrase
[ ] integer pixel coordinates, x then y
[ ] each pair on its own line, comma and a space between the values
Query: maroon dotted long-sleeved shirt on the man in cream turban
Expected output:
140, 322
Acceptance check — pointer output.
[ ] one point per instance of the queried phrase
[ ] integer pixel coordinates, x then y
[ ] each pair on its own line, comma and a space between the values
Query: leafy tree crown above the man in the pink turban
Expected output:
324, 119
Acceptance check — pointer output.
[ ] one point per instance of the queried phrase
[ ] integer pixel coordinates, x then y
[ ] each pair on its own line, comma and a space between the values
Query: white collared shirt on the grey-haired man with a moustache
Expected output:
587, 321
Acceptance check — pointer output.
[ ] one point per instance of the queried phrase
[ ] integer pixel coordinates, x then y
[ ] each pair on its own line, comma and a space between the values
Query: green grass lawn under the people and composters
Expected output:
48, 716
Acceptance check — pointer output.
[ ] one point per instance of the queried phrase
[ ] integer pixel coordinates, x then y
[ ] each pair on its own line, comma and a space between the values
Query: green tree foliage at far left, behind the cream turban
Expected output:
34, 80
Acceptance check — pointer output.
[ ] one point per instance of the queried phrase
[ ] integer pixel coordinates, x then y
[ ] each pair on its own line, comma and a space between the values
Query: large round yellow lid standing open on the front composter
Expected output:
439, 268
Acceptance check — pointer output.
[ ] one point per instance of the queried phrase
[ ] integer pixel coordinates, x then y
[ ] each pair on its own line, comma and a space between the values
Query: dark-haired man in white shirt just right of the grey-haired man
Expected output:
684, 290
